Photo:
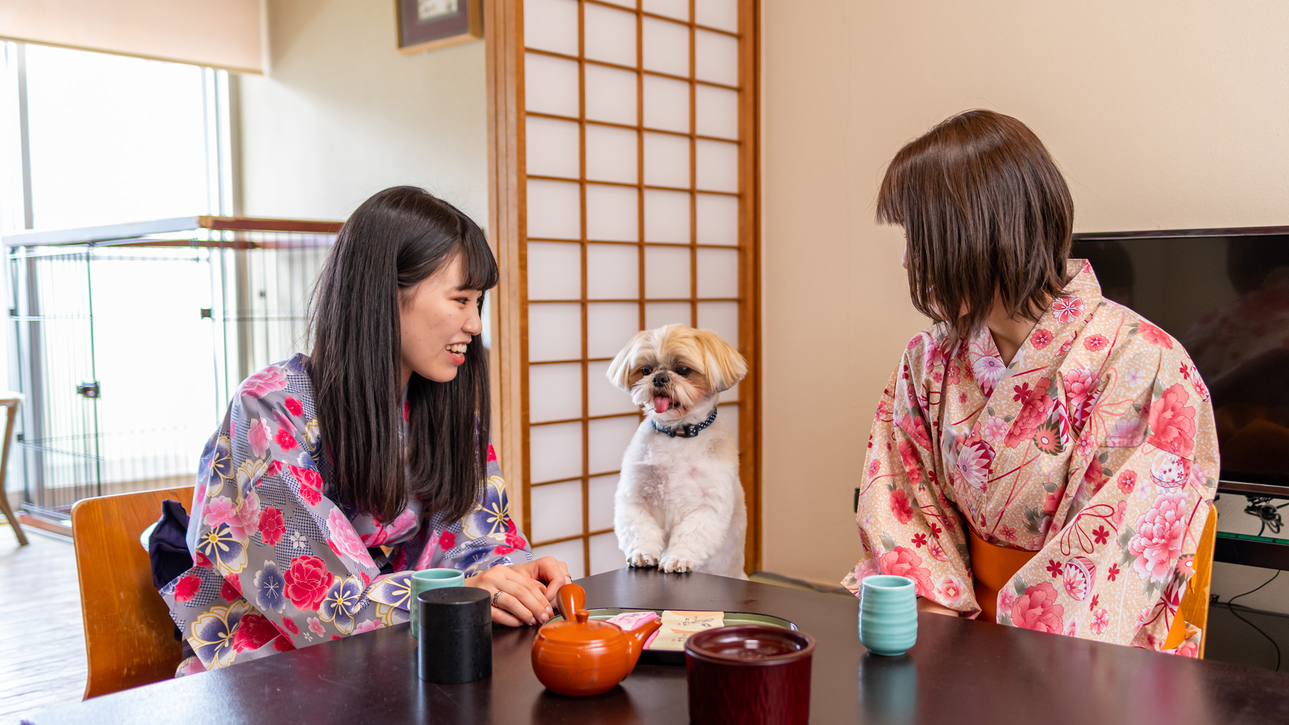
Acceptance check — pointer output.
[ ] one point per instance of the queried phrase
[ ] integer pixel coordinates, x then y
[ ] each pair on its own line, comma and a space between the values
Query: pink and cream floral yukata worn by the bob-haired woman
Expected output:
1095, 448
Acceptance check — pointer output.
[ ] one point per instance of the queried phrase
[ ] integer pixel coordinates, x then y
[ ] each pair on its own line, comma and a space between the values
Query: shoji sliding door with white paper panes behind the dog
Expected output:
625, 181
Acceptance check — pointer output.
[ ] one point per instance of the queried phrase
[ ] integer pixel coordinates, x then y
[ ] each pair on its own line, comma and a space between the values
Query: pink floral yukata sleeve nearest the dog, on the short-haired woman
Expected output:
907, 524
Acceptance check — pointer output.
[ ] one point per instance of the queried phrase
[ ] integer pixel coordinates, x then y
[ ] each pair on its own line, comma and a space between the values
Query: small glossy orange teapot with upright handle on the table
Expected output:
582, 656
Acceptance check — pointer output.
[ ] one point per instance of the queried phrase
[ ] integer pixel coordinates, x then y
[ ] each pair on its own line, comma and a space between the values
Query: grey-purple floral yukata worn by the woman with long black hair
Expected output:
279, 564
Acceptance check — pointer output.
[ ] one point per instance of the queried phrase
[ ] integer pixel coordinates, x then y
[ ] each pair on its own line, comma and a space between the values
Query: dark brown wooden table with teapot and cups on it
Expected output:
960, 671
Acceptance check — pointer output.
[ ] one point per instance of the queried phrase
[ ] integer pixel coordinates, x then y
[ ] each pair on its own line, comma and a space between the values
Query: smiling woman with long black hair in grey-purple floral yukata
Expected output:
336, 475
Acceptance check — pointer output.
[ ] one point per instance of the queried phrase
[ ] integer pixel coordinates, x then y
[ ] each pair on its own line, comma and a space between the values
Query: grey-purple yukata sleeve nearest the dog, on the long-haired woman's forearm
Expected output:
484, 539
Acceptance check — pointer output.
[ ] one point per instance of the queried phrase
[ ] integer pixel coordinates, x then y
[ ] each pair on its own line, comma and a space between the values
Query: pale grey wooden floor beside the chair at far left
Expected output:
42, 641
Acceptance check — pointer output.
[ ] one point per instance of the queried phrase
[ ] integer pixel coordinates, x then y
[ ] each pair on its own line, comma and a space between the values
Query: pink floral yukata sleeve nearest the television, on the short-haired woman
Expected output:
1118, 567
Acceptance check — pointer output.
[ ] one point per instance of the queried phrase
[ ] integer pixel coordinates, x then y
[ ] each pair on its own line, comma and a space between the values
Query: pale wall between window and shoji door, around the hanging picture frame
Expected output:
341, 115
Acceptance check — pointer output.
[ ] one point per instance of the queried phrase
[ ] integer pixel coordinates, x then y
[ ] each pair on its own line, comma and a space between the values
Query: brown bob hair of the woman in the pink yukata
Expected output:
984, 211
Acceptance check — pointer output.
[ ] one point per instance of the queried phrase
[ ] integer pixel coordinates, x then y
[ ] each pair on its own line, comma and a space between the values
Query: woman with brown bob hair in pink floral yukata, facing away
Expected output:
1042, 457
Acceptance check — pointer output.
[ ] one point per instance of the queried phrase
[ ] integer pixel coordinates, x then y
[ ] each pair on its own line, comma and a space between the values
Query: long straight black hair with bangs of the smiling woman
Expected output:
396, 239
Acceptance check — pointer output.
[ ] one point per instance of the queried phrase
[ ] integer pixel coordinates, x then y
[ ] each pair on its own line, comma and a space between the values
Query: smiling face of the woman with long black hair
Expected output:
438, 319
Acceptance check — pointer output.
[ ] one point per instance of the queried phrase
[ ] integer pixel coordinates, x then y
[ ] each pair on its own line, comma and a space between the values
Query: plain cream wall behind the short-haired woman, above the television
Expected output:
1163, 114
